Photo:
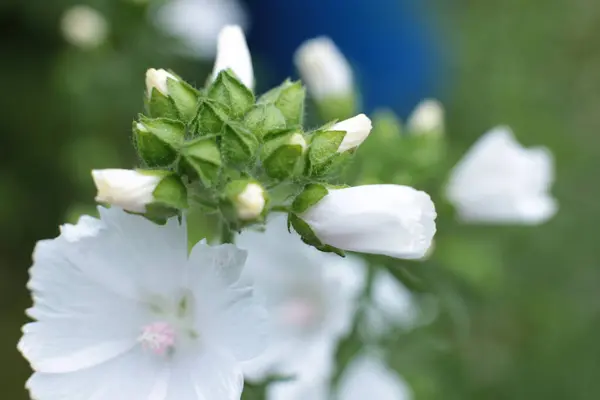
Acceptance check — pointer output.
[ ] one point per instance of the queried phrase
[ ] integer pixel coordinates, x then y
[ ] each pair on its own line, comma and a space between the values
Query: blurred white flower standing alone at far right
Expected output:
499, 181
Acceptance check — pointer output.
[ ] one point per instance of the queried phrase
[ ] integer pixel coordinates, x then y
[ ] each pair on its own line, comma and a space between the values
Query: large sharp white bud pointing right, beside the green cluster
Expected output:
393, 220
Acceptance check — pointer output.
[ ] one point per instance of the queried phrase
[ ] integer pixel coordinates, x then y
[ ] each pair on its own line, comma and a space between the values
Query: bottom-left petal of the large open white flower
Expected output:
131, 376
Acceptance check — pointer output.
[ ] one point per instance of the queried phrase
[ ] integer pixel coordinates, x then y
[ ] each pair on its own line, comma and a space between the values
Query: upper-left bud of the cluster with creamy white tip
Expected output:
169, 96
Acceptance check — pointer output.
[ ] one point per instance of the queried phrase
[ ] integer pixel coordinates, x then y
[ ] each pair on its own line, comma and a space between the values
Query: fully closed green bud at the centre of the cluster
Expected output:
238, 144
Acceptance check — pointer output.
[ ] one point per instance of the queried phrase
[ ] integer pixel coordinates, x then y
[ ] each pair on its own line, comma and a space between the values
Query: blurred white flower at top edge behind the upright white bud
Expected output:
197, 23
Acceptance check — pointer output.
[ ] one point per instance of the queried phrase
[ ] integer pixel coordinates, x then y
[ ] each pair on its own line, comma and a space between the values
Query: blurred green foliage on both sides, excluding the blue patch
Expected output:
520, 307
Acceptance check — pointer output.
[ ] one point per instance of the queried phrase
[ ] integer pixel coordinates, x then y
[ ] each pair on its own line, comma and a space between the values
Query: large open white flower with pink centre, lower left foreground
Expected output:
122, 313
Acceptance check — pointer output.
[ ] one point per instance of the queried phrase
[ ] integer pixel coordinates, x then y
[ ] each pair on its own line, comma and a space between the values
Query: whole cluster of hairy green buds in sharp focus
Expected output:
224, 143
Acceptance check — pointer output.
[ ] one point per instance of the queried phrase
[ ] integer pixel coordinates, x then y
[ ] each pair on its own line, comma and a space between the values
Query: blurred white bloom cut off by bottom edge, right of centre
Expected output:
367, 377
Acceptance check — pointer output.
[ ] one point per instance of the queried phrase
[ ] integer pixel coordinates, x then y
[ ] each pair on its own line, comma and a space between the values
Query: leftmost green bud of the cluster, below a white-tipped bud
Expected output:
157, 140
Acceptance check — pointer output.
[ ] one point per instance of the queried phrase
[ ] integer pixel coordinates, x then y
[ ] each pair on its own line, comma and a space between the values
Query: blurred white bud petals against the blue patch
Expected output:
324, 69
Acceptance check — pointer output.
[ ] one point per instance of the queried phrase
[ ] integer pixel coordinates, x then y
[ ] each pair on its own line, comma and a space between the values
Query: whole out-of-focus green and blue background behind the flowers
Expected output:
527, 300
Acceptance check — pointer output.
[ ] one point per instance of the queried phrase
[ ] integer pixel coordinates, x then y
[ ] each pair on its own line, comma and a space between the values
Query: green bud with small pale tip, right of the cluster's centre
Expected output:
282, 154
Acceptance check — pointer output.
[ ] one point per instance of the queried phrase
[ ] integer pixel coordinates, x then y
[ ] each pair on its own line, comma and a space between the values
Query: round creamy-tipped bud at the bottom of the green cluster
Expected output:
246, 201
